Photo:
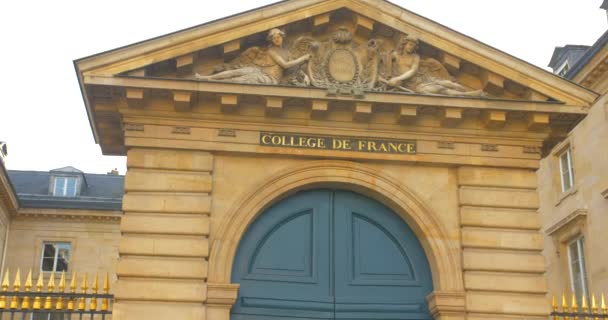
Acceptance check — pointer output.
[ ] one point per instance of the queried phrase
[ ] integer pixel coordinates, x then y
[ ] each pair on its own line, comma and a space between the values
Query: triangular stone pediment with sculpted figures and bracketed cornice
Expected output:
333, 52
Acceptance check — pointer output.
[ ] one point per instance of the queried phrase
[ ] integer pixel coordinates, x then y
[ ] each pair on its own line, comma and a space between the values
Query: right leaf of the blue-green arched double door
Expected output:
381, 271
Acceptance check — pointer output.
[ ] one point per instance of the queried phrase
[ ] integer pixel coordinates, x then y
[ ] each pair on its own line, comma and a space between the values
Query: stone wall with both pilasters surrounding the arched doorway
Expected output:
185, 212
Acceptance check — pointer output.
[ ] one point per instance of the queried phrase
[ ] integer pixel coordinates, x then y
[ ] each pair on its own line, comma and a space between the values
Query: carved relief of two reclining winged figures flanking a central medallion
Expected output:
340, 65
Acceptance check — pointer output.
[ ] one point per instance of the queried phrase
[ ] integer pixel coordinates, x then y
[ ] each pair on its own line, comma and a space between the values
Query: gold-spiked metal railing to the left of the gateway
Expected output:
35, 303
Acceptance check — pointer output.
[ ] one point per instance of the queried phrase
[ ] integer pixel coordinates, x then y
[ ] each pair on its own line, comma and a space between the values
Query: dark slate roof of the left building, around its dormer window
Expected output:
100, 192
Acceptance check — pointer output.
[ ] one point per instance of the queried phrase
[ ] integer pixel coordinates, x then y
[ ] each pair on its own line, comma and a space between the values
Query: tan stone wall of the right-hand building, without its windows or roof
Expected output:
581, 211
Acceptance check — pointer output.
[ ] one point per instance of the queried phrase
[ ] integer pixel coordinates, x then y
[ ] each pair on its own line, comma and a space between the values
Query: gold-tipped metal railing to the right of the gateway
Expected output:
572, 310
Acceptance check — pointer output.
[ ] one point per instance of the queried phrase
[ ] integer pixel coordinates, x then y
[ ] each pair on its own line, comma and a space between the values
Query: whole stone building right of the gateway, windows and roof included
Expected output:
574, 194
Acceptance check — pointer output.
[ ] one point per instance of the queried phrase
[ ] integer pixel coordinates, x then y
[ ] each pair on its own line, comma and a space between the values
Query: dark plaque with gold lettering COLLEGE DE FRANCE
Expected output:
285, 140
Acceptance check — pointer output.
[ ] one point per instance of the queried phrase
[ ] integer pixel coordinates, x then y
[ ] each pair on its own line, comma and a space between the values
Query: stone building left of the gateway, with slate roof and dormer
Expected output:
61, 221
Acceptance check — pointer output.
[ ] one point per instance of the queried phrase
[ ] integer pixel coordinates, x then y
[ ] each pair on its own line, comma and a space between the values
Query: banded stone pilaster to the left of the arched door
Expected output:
164, 244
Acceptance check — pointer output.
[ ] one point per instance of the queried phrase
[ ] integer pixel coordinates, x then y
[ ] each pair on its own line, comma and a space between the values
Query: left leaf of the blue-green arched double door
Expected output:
283, 262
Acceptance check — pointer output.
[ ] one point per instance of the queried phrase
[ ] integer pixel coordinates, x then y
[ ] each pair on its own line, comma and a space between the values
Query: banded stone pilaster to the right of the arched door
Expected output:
502, 244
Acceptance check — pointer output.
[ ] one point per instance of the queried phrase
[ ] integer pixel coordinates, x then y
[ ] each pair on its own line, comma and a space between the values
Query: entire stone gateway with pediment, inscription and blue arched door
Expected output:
228, 125
